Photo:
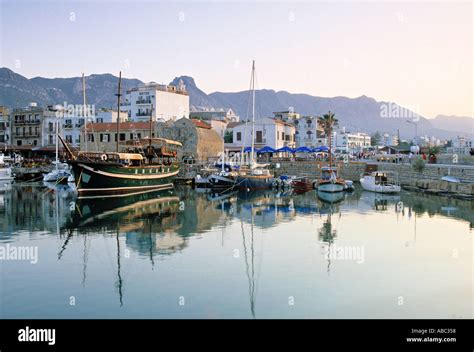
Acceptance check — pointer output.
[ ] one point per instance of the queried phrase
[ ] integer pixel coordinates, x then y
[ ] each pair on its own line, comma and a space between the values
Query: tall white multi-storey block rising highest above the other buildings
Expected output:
164, 102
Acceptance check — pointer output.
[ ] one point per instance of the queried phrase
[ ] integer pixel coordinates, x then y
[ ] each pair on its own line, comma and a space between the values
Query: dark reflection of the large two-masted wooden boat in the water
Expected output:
148, 220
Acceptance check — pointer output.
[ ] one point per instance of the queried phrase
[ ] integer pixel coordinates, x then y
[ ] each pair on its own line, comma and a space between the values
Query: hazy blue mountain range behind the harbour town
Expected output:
356, 114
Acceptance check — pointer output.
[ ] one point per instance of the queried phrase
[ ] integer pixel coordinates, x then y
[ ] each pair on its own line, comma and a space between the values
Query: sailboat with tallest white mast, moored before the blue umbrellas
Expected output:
255, 176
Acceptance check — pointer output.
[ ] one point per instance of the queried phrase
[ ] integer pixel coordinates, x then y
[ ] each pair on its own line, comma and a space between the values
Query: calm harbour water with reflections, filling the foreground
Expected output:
186, 254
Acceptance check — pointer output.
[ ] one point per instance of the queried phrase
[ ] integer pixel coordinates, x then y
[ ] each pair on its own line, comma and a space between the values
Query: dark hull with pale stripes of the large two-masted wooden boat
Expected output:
102, 178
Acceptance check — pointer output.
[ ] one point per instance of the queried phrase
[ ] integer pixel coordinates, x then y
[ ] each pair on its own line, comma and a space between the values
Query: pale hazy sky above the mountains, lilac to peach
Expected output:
417, 54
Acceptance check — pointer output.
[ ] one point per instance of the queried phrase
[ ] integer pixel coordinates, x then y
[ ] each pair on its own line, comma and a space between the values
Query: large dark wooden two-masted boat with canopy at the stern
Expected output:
135, 170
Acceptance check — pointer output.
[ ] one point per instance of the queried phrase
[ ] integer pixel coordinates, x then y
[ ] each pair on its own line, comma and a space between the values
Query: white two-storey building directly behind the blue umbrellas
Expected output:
268, 132
